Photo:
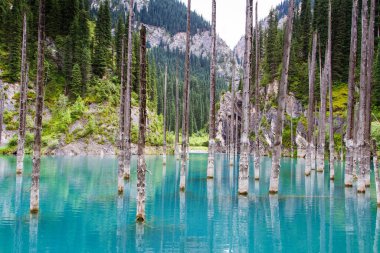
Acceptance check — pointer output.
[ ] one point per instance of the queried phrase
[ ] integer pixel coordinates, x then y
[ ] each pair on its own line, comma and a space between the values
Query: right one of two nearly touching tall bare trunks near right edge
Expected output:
370, 61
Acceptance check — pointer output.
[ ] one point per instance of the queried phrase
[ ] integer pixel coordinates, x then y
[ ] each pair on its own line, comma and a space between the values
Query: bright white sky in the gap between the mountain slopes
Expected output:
230, 16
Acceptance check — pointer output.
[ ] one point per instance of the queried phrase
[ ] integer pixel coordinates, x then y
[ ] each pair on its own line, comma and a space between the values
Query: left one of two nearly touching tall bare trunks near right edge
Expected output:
361, 142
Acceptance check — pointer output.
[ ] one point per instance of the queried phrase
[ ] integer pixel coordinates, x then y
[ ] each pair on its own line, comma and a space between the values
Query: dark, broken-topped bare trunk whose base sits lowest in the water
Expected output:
141, 166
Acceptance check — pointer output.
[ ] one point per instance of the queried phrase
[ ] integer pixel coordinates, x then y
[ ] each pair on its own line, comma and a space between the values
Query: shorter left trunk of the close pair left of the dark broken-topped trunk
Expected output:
120, 180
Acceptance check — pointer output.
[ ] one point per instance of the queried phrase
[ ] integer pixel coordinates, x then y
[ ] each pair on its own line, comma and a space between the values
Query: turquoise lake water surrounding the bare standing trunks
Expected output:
81, 212
